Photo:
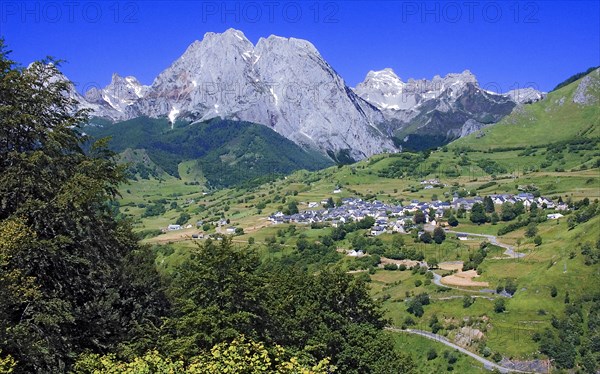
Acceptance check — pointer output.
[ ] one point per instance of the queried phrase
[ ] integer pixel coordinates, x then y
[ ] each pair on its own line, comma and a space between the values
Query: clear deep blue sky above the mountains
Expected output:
505, 44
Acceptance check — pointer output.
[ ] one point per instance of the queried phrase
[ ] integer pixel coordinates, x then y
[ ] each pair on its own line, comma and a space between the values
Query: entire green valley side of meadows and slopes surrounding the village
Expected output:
552, 313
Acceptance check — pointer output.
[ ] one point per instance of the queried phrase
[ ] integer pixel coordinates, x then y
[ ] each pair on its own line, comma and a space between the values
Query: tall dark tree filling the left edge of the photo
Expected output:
85, 282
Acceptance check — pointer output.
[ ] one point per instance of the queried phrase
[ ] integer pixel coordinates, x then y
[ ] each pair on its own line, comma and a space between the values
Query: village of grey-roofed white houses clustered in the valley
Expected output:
399, 218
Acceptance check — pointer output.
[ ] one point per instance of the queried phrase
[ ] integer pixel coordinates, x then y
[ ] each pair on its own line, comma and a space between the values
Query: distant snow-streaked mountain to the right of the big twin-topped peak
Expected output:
425, 113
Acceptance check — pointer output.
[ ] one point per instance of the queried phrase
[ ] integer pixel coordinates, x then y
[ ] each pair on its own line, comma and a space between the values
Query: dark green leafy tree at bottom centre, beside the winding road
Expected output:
341, 322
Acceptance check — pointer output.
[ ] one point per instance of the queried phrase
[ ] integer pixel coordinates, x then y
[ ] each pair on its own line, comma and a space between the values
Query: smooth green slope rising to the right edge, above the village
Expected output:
554, 119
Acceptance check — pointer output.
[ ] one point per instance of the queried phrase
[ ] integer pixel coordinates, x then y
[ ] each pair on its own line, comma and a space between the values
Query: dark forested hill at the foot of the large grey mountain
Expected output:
219, 152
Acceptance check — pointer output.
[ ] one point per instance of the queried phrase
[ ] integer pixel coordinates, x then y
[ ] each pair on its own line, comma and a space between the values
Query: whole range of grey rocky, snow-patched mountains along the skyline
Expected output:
286, 85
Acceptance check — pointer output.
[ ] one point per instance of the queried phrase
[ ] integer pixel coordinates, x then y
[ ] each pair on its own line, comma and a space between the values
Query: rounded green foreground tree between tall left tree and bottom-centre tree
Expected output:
214, 298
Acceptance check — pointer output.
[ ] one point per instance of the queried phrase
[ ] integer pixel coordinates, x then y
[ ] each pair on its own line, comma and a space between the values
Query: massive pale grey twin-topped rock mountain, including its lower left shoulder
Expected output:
281, 83
